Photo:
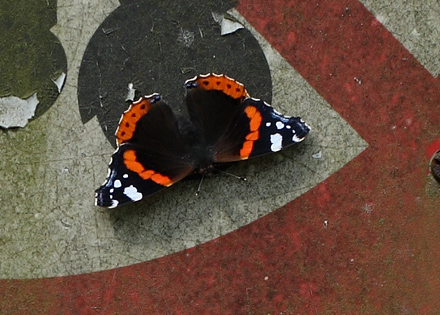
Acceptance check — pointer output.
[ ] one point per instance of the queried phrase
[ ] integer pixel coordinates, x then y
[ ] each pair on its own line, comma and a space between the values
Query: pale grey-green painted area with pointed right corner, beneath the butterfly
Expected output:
72, 236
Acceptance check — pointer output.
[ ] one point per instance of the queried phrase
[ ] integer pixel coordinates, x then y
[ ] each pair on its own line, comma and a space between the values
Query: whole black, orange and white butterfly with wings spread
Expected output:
156, 149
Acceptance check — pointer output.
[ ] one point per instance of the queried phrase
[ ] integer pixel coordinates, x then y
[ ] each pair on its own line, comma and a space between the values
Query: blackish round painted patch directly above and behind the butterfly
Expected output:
157, 45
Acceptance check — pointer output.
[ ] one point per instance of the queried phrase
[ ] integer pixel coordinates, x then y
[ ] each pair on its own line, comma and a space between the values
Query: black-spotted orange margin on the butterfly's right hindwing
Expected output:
222, 83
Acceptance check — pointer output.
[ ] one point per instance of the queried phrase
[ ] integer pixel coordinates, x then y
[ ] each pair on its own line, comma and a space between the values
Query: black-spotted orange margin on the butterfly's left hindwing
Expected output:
129, 119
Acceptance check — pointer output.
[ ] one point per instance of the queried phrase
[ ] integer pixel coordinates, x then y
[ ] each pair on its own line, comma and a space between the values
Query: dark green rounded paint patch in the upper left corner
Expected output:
31, 57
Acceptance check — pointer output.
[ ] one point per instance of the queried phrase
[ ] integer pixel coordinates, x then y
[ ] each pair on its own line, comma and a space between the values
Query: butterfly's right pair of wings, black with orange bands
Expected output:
236, 126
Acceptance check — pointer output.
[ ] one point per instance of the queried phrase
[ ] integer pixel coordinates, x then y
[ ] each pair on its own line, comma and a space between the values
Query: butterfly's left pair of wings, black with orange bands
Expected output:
150, 155
